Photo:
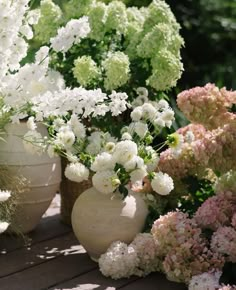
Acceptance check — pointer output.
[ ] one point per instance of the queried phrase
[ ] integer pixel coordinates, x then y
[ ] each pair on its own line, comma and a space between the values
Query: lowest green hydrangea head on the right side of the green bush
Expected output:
166, 70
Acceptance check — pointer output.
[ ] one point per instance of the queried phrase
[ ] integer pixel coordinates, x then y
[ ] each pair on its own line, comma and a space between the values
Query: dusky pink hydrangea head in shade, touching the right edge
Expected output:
216, 211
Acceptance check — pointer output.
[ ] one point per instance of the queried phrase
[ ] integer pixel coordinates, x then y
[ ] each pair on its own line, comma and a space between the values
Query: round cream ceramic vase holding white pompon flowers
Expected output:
99, 219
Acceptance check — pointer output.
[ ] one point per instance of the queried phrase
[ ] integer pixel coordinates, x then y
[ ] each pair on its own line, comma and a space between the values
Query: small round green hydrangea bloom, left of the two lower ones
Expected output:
85, 70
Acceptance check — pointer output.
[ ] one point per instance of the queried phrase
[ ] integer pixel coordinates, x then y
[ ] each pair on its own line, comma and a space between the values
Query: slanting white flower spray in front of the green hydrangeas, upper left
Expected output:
72, 33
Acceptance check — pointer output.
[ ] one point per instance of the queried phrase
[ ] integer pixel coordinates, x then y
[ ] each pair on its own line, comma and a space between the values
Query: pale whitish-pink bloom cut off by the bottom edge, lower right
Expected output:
205, 281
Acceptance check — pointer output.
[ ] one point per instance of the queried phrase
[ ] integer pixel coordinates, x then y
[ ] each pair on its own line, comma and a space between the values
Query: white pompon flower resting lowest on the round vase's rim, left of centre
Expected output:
105, 181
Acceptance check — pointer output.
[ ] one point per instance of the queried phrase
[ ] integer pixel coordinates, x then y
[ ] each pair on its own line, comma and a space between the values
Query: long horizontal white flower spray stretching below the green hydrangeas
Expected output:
79, 101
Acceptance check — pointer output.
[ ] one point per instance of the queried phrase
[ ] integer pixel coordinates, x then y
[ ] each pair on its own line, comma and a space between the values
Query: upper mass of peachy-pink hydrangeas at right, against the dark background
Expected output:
214, 131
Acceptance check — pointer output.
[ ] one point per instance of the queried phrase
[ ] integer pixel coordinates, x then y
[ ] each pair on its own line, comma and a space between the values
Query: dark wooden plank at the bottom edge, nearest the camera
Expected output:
93, 280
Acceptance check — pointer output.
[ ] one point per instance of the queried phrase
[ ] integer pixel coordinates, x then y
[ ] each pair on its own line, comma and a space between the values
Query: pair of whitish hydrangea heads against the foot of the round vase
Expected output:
139, 258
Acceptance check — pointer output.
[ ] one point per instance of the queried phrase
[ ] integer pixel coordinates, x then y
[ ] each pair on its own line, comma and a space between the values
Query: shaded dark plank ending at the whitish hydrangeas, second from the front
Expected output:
50, 273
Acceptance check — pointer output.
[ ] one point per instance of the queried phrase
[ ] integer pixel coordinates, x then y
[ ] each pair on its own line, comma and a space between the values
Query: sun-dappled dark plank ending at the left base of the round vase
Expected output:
31, 256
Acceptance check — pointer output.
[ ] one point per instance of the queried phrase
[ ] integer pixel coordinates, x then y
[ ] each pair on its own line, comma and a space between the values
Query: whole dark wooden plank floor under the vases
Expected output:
51, 258
